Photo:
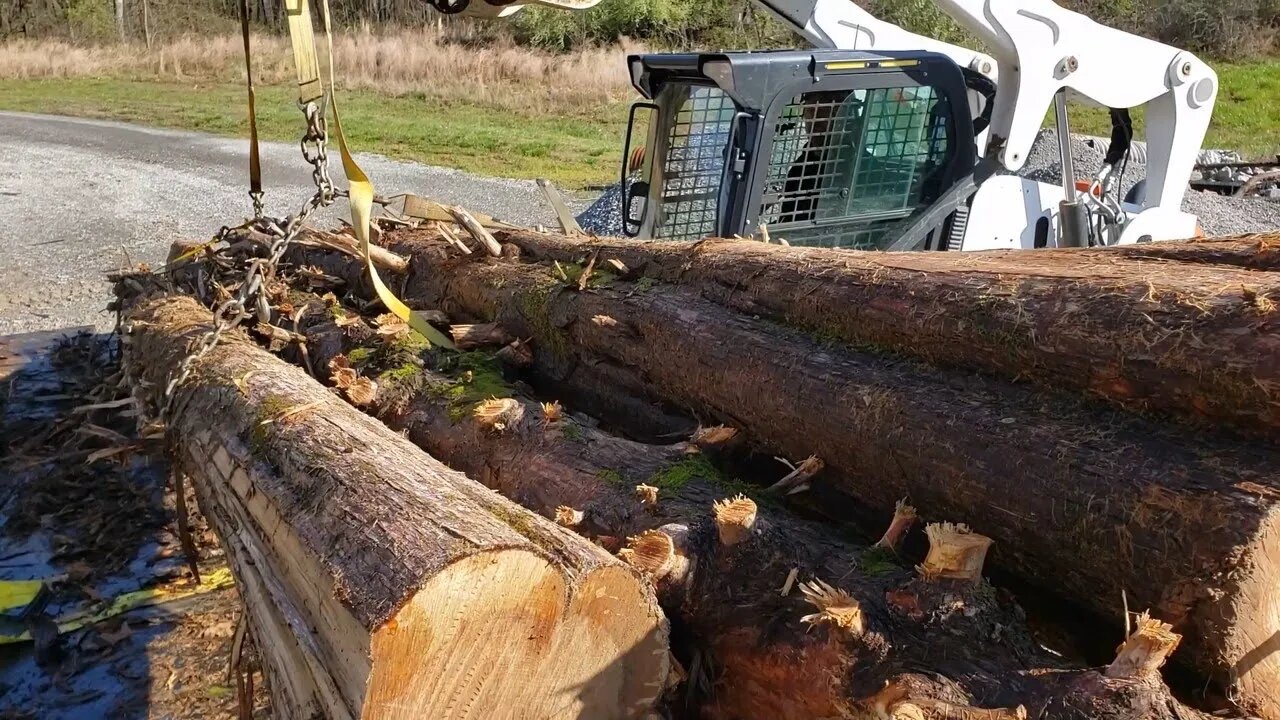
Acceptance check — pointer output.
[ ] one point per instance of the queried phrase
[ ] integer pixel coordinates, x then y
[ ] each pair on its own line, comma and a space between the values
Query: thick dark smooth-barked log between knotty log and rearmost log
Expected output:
1086, 503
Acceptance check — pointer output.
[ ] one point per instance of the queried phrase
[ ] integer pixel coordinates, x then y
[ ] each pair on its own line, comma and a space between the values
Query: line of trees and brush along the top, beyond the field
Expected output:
1213, 28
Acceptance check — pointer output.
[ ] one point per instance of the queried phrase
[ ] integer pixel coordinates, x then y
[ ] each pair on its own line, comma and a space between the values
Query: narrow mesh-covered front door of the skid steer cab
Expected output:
694, 165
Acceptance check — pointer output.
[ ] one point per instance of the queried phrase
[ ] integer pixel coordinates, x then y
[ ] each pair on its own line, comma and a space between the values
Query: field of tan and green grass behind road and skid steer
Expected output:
492, 111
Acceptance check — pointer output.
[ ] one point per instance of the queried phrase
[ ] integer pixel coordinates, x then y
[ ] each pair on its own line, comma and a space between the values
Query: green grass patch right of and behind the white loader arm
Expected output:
1245, 115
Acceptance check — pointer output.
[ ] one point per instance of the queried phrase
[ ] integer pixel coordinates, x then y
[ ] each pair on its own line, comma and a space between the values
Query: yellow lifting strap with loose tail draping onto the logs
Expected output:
360, 190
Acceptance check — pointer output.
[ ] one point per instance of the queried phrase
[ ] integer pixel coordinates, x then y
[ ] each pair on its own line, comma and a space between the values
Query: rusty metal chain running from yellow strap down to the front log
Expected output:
250, 299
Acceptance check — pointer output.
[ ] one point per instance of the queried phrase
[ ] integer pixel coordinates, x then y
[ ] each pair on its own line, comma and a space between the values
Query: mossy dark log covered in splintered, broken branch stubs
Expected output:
720, 562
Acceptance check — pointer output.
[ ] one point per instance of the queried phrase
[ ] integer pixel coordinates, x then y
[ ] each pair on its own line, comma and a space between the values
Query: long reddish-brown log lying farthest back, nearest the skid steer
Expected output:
1187, 329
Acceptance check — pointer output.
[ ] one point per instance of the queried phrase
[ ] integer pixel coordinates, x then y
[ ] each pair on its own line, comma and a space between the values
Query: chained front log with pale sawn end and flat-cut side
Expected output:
409, 590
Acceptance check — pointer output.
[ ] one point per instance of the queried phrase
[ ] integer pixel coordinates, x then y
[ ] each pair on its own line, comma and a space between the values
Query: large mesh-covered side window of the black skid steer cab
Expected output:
845, 166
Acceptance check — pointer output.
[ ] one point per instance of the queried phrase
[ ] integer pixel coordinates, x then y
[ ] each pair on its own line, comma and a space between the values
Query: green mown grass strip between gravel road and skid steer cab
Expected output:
572, 151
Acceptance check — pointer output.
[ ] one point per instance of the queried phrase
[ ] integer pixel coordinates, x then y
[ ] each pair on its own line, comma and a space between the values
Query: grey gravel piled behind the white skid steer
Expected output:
1218, 215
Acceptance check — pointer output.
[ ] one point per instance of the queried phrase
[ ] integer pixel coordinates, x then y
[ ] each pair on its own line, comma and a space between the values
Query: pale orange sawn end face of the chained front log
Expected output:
438, 655
